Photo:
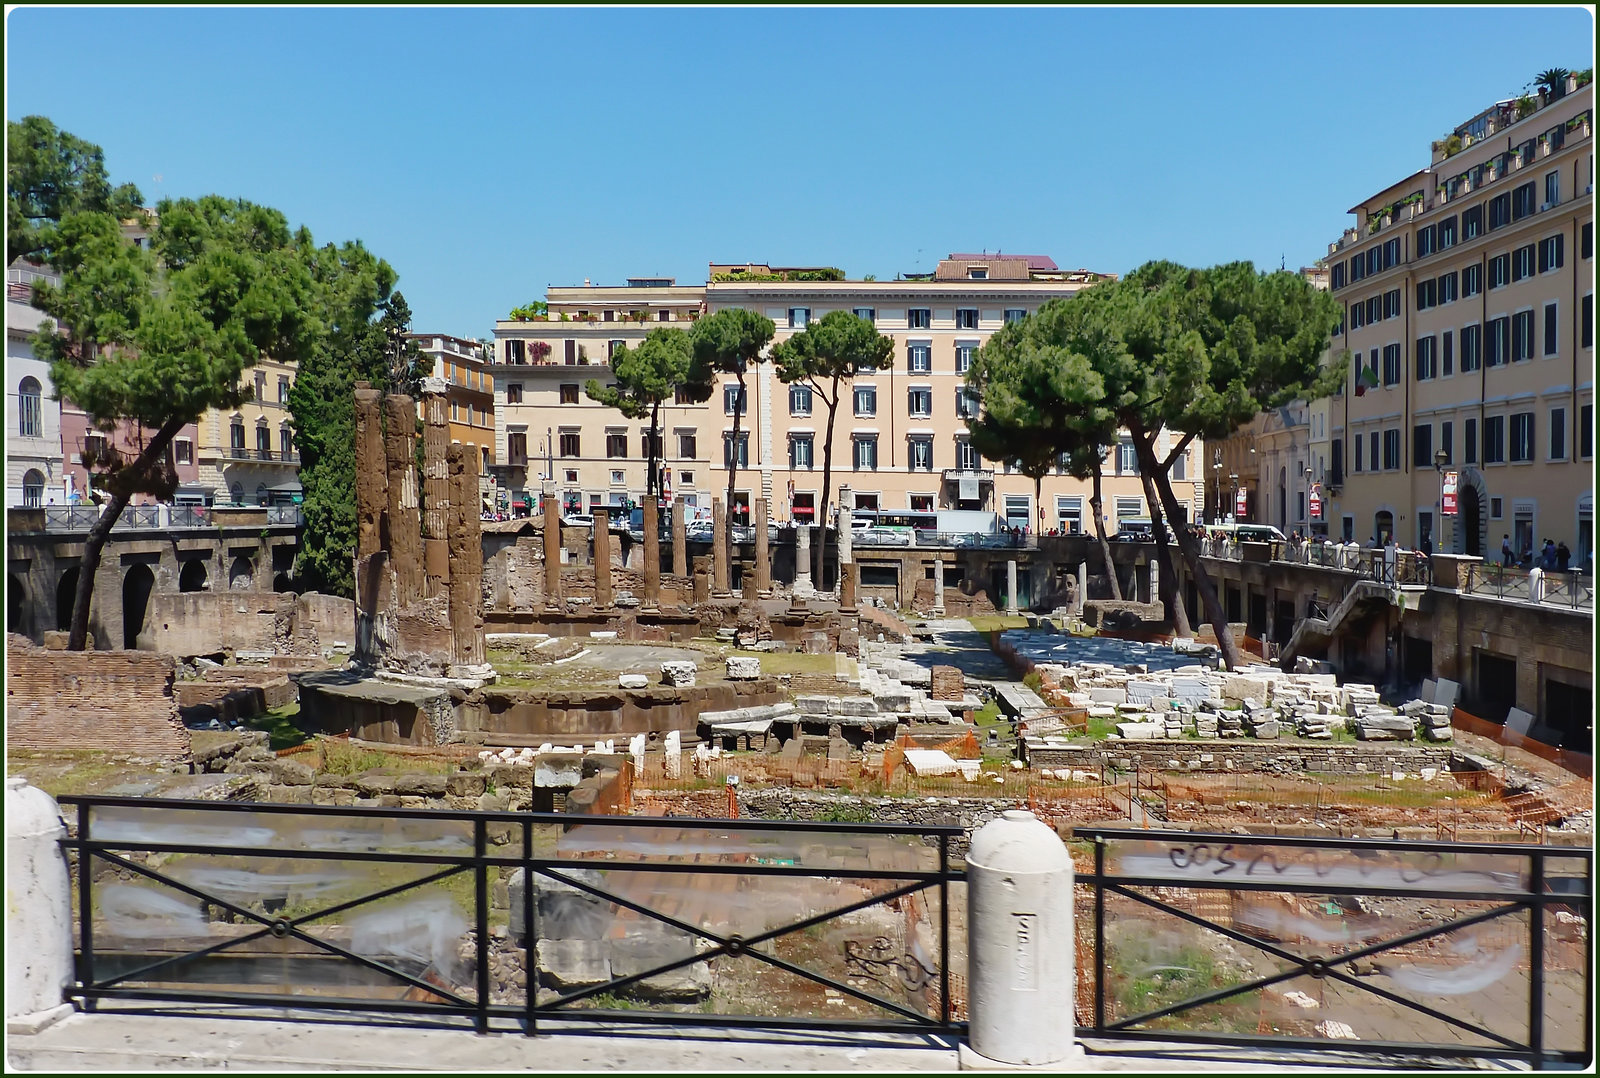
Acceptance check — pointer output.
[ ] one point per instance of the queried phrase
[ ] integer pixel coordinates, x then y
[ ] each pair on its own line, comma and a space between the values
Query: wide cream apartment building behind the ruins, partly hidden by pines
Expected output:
900, 441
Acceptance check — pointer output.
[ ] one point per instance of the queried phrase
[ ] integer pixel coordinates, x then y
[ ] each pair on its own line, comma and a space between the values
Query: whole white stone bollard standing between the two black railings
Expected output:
1020, 944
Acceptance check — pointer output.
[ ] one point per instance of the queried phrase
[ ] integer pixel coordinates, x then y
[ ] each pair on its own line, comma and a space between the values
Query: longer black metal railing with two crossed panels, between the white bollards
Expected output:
820, 927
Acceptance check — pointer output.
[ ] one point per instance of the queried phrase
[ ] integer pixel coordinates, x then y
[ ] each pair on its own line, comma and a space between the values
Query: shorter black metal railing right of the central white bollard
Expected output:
1452, 949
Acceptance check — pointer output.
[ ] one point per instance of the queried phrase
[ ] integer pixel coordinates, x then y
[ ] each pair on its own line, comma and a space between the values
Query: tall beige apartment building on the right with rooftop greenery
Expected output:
1470, 314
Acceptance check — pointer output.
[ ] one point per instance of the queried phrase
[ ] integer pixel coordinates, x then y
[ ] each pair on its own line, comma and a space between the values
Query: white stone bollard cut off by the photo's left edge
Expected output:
39, 911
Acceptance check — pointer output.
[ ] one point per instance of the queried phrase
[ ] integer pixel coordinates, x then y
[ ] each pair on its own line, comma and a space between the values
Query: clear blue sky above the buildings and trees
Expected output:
492, 153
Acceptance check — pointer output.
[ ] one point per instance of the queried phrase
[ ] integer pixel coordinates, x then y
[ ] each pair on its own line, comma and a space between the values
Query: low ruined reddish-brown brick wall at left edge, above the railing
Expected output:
92, 700
